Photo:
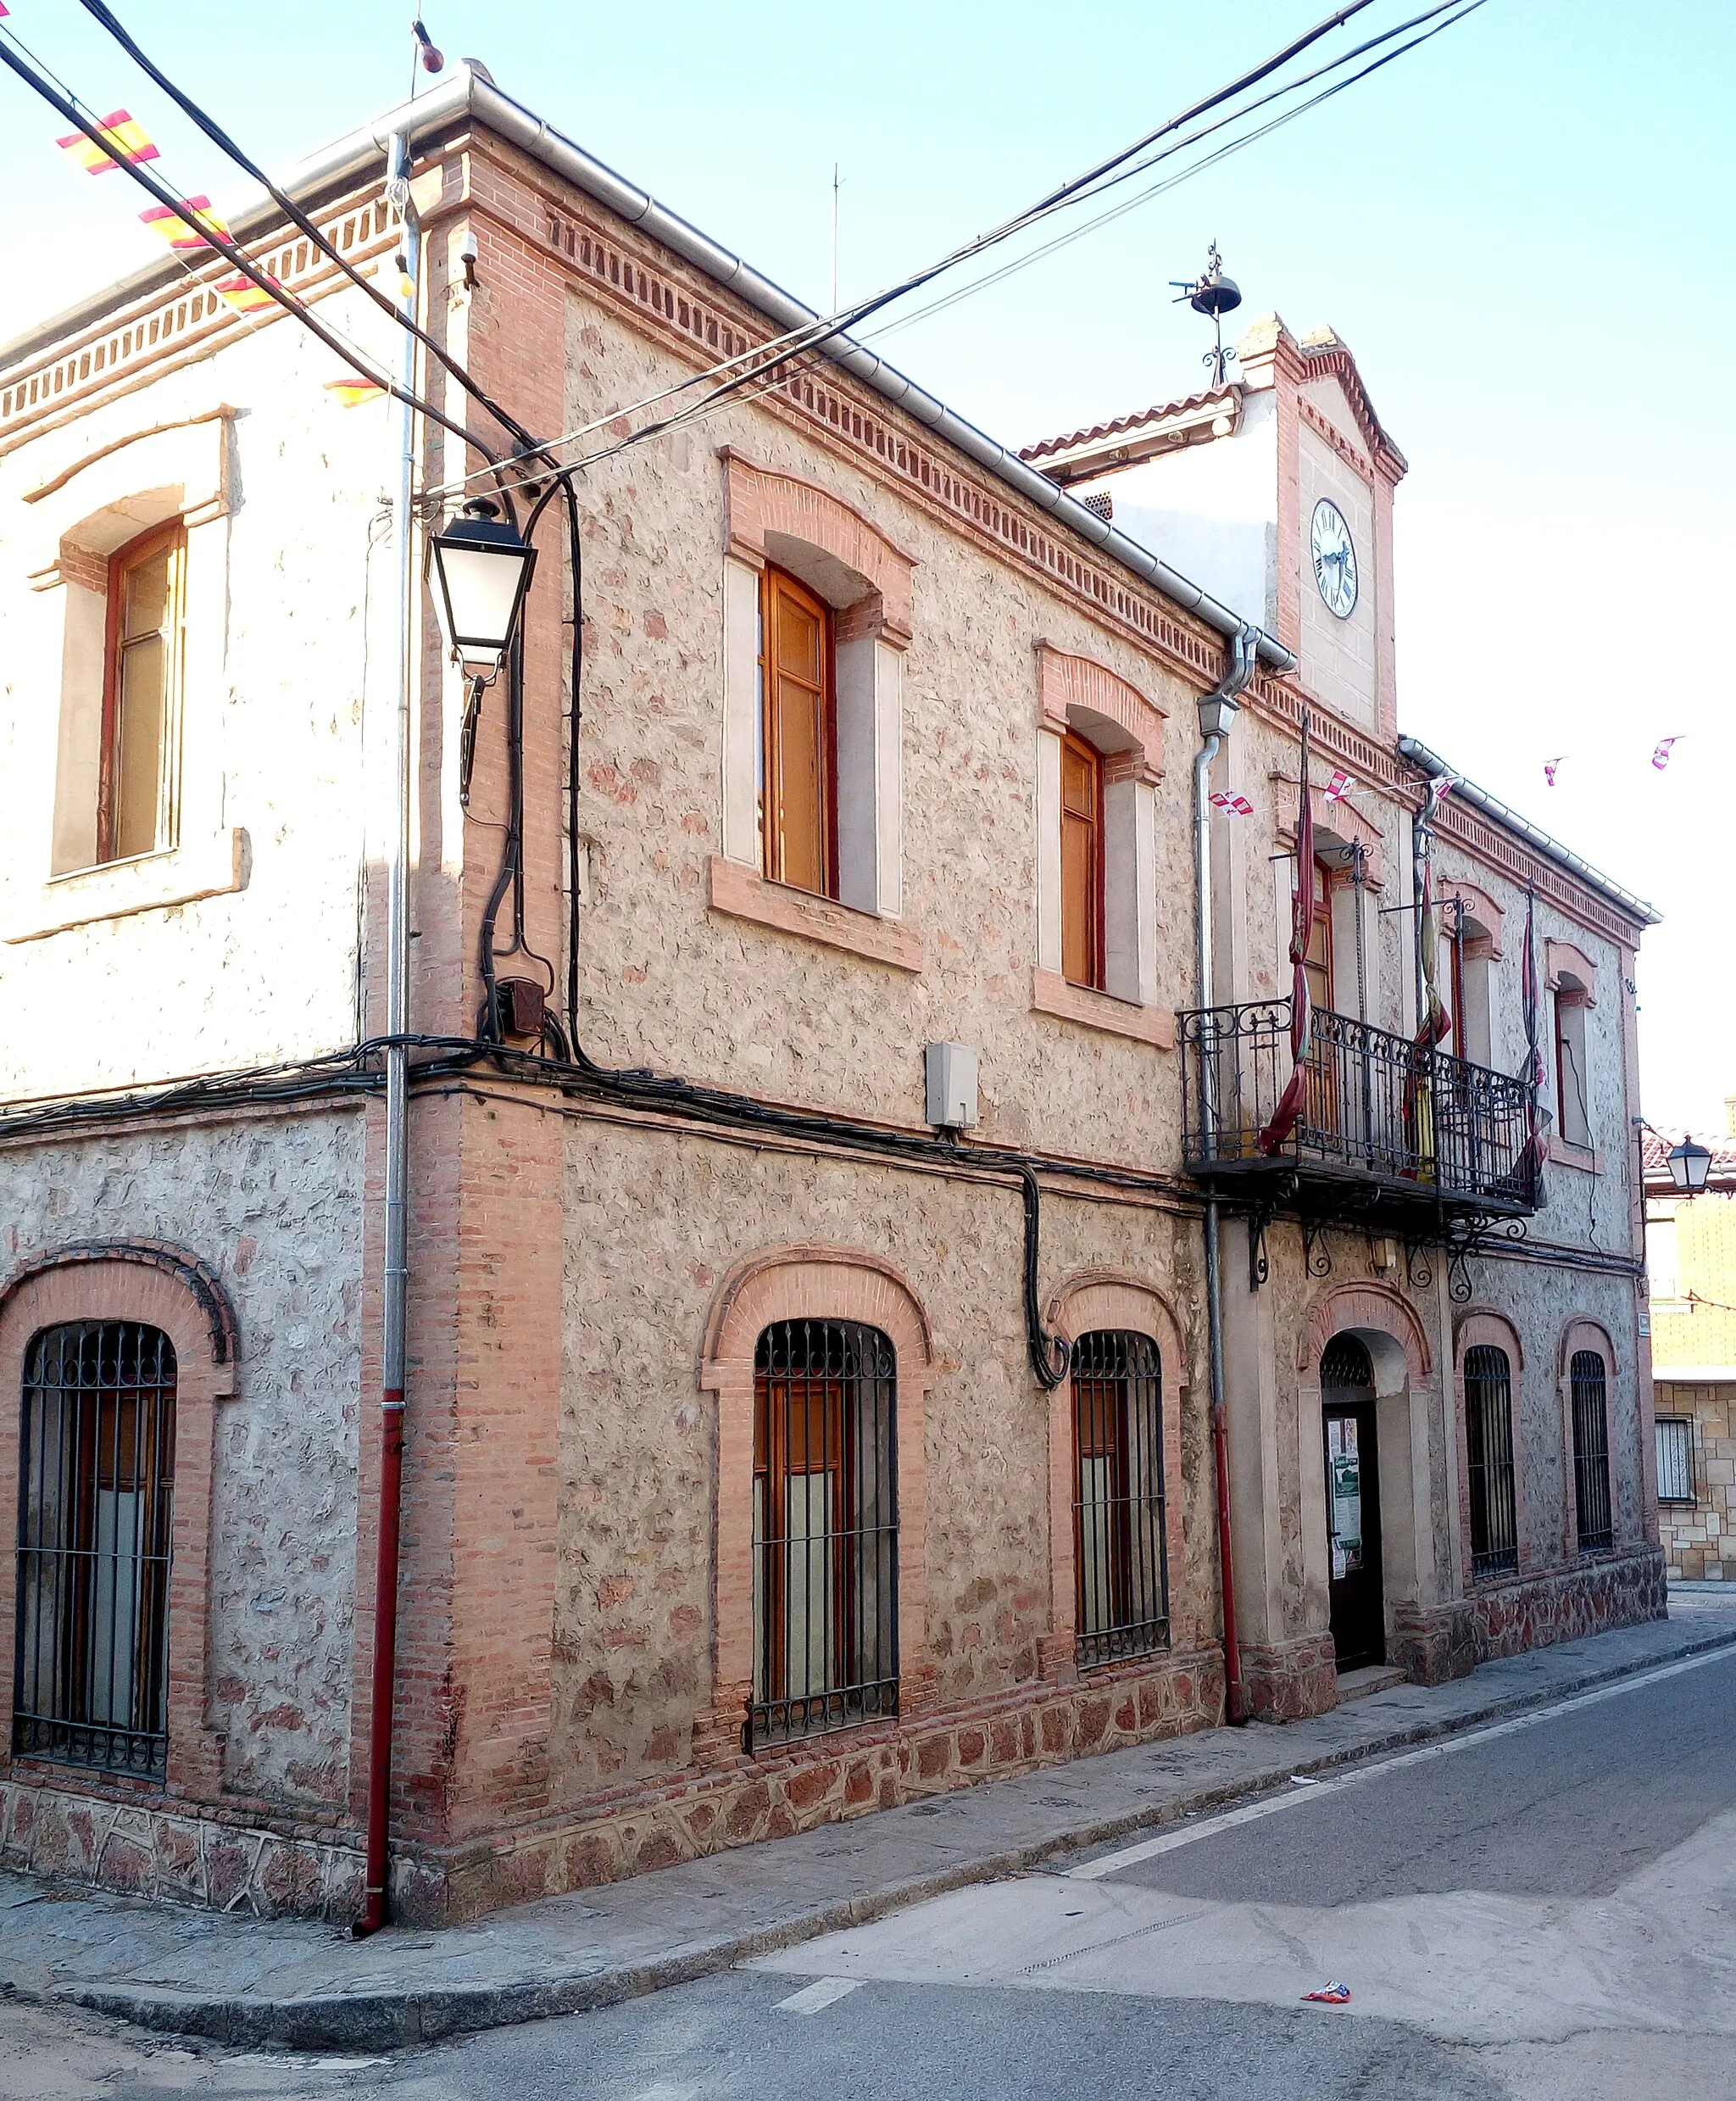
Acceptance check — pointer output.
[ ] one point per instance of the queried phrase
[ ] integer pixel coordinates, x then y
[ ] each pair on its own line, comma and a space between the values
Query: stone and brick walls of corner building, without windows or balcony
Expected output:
592, 1260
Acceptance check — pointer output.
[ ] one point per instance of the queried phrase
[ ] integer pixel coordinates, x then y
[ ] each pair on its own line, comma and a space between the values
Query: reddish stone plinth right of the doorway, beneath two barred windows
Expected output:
1529, 1613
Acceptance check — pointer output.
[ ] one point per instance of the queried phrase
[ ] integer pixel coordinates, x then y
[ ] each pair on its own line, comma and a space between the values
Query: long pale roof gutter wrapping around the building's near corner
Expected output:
468, 93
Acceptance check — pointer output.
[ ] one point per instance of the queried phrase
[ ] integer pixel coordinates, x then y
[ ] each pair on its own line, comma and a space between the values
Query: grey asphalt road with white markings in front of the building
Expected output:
1544, 1911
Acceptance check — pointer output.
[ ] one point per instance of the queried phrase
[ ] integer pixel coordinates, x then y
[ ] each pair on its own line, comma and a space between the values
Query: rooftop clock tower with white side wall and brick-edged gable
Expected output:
1273, 491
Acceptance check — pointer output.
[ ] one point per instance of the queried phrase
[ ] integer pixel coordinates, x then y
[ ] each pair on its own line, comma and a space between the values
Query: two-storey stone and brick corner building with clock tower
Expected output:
810, 1365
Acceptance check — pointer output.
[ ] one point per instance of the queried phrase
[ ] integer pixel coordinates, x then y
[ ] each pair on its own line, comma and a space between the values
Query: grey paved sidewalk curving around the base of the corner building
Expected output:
308, 1986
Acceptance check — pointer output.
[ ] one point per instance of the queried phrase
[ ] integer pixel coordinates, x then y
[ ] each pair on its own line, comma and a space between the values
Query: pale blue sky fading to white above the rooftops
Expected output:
1523, 232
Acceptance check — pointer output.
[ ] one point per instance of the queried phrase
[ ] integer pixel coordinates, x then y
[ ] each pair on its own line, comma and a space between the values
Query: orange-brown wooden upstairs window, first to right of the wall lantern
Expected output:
800, 739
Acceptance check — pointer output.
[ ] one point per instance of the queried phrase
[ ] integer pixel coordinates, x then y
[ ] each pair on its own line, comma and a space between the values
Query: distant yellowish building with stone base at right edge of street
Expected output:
1691, 1262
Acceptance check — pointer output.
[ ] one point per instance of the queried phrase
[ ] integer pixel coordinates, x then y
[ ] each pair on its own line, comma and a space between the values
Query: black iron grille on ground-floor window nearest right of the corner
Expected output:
825, 1522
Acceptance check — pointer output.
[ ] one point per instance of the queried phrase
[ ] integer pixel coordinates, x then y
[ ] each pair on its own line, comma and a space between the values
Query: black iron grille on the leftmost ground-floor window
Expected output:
96, 1514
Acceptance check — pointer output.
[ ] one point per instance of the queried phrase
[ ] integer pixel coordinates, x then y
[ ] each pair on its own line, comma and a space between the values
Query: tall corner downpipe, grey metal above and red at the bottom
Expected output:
396, 1272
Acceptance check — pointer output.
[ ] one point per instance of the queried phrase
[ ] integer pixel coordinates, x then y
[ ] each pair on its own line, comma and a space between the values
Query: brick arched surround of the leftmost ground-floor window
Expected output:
180, 1295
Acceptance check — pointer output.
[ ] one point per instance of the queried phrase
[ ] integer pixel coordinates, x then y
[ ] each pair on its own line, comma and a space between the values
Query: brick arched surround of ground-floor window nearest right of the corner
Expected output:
808, 1283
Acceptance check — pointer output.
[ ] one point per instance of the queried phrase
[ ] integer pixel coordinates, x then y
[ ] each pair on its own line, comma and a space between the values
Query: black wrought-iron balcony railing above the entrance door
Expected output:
1380, 1112
